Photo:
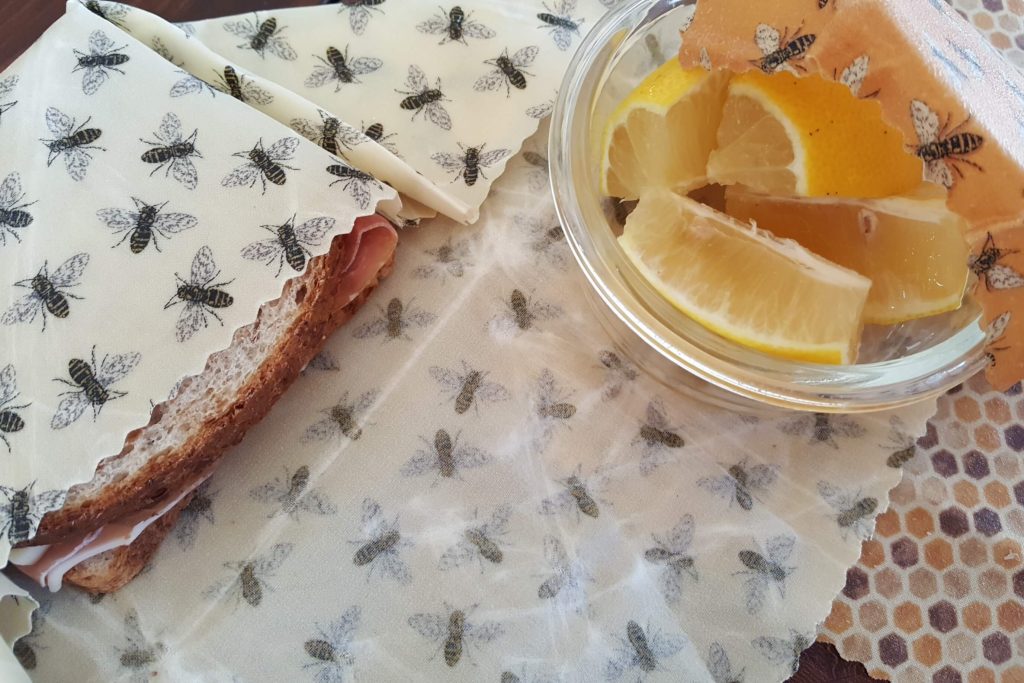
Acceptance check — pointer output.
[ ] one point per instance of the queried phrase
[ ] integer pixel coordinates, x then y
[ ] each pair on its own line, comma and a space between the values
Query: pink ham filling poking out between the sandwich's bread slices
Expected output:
367, 249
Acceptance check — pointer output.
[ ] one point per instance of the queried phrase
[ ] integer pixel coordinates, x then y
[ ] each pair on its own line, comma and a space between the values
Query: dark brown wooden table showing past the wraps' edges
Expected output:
22, 22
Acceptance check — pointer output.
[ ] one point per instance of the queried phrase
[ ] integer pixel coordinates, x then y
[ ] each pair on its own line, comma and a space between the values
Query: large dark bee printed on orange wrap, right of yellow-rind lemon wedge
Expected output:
944, 150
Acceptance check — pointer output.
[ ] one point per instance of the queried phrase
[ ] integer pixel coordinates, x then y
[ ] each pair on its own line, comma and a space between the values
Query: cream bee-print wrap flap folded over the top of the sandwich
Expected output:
138, 232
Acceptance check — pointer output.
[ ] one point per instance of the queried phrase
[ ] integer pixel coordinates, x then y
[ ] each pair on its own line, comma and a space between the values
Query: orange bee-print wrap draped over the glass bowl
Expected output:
936, 80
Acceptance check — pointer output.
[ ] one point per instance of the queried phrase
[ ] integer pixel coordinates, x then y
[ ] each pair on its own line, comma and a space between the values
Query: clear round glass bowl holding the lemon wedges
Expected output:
899, 365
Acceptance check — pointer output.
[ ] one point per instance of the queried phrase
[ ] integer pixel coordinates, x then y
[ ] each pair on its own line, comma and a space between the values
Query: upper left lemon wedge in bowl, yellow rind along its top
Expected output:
661, 136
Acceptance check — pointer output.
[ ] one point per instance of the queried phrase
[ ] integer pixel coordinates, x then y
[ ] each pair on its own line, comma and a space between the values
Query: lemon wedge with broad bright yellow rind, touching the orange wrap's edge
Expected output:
807, 137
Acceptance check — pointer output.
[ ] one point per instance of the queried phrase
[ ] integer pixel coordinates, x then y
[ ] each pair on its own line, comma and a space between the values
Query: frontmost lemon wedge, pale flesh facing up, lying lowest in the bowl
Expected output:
744, 284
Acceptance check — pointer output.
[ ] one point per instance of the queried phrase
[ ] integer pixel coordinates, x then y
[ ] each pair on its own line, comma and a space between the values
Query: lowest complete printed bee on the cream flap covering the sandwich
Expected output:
91, 386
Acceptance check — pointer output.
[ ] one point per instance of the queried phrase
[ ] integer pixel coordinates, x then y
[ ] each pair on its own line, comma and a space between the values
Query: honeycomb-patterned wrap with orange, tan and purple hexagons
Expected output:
938, 594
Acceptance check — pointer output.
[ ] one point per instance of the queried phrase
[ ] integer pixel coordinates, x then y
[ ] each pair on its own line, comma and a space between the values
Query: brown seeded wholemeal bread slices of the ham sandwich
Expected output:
212, 411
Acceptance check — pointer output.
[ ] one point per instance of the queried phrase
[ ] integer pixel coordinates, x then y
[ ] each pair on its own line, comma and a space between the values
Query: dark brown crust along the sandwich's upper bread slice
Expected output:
321, 313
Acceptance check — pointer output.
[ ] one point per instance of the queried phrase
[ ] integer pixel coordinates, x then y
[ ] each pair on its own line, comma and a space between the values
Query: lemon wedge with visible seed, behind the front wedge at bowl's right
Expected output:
912, 248
